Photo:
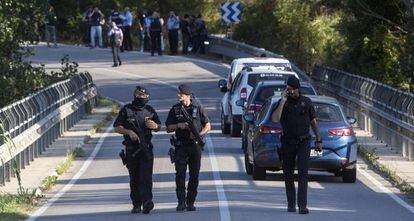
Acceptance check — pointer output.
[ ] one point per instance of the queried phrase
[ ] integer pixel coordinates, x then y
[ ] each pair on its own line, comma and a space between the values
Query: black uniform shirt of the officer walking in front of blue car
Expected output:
296, 116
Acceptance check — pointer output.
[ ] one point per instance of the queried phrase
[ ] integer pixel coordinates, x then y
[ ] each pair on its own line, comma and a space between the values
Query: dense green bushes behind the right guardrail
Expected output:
365, 37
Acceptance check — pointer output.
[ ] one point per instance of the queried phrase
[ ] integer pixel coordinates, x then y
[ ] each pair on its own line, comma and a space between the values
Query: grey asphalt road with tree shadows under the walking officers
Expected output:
101, 190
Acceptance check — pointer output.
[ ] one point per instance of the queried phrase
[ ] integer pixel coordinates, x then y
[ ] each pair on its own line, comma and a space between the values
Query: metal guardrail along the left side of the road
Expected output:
34, 122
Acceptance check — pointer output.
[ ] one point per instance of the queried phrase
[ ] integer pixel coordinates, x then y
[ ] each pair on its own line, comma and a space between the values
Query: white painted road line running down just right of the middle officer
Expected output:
221, 194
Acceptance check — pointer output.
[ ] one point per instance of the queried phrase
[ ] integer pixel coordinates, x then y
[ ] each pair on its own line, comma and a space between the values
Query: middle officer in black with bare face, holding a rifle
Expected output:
187, 151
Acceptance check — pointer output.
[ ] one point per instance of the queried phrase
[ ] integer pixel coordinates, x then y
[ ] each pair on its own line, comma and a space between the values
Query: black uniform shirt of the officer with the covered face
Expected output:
147, 111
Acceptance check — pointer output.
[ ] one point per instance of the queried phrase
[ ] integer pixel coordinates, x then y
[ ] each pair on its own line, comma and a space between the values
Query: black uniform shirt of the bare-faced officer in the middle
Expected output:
175, 116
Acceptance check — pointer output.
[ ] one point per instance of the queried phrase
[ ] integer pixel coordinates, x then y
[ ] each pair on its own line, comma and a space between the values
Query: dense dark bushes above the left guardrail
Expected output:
17, 77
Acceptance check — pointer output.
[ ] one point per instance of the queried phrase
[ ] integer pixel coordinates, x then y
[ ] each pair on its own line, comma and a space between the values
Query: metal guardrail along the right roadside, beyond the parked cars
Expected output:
385, 112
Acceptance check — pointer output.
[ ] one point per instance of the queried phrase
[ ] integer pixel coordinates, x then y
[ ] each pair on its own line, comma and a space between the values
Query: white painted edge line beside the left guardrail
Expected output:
75, 178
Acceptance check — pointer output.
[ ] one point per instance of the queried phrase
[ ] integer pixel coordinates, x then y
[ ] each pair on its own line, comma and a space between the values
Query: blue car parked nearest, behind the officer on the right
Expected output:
339, 154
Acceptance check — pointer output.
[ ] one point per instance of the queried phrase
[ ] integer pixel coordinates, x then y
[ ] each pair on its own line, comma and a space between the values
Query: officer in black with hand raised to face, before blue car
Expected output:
296, 114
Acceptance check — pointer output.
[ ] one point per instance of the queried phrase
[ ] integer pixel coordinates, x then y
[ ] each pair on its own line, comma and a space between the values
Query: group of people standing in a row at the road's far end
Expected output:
150, 27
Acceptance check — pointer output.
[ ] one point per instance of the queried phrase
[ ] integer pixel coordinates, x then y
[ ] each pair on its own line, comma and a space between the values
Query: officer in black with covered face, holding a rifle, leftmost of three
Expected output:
136, 121
